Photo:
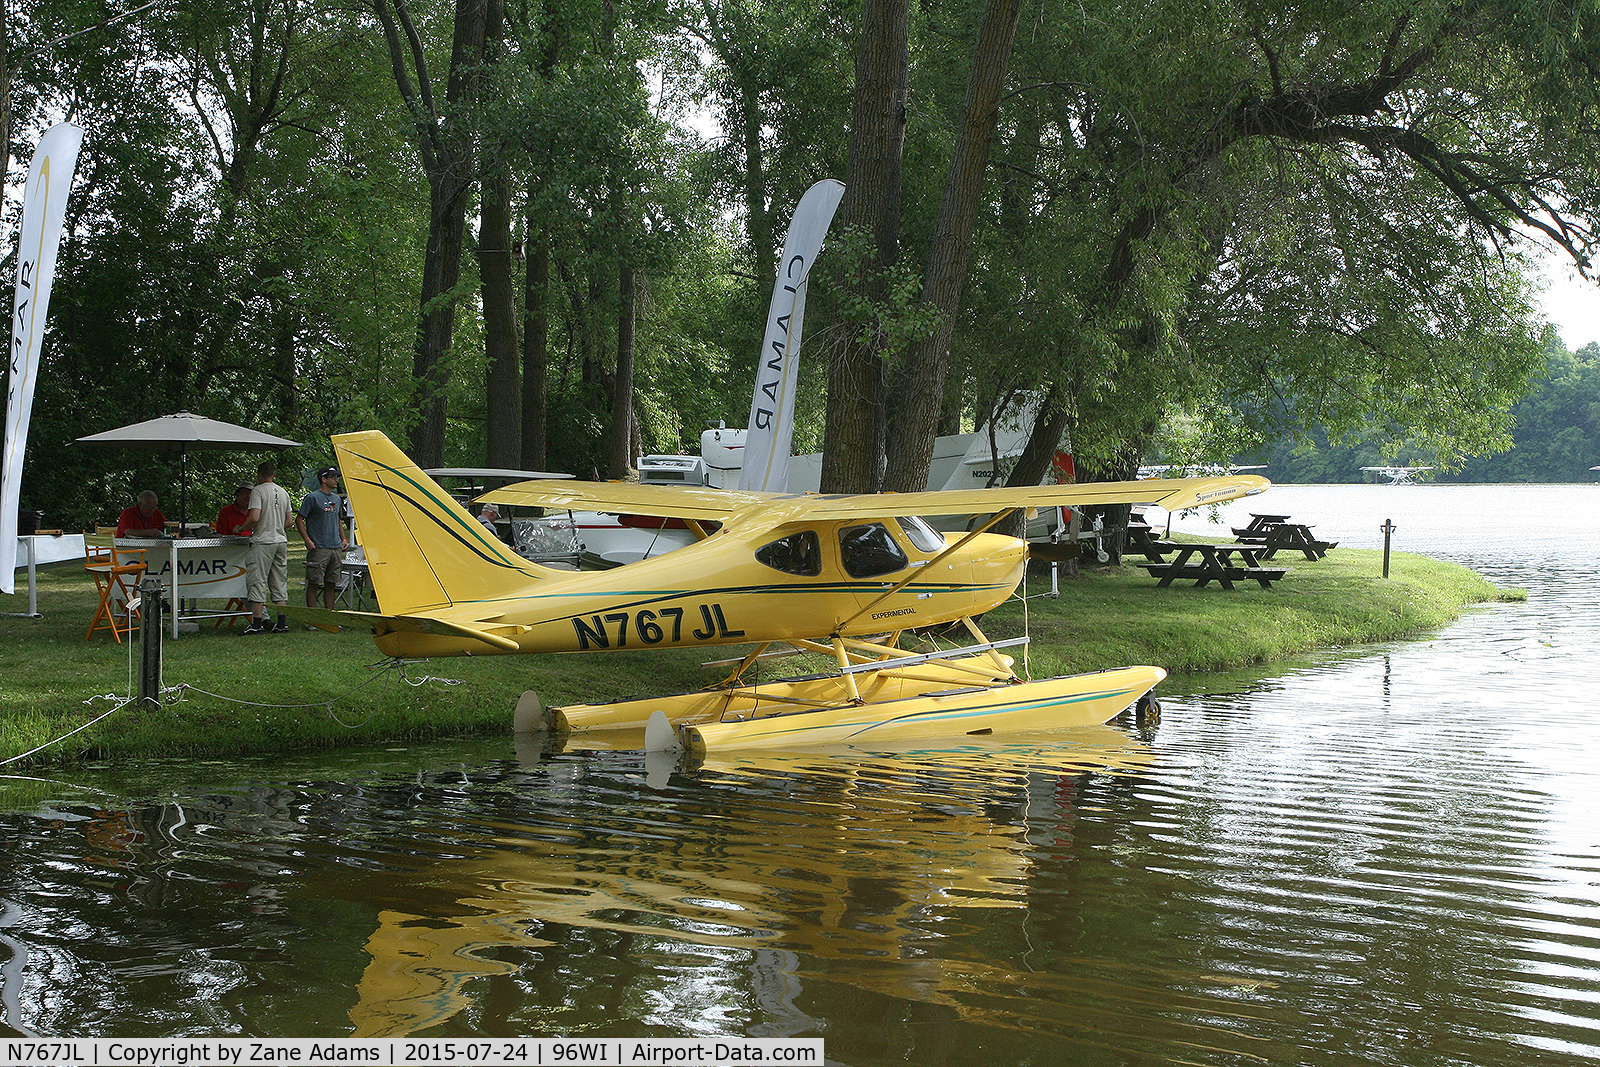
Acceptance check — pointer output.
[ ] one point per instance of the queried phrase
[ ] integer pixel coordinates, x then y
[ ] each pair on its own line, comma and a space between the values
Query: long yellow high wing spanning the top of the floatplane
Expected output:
722, 505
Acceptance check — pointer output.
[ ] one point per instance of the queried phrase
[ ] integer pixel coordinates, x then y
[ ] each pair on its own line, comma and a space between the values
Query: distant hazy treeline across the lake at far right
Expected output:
1556, 438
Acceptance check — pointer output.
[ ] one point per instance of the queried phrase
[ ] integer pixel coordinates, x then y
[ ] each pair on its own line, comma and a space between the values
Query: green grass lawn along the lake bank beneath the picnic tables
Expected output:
308, 690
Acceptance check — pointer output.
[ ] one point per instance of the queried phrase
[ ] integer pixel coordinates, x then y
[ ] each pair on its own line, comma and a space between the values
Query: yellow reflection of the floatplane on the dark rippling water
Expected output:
873, 861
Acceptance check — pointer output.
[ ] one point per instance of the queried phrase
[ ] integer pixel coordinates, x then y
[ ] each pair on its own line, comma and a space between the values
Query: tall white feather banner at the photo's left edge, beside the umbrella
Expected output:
44, 209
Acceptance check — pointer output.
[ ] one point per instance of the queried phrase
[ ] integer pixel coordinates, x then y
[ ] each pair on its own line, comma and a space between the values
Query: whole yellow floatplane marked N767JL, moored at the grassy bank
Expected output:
847, 577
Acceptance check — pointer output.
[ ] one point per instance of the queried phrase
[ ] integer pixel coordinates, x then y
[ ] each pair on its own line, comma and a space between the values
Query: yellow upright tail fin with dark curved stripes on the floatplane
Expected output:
425, 551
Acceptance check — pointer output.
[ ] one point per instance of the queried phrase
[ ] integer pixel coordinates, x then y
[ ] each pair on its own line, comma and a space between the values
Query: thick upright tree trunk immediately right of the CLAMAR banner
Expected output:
871, 206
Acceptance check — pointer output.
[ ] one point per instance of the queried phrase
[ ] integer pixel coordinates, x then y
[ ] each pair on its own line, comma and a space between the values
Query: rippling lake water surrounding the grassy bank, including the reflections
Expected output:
1383, 855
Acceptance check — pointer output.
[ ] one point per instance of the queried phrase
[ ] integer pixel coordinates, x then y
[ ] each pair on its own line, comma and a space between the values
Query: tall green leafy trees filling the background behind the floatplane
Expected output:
545, 233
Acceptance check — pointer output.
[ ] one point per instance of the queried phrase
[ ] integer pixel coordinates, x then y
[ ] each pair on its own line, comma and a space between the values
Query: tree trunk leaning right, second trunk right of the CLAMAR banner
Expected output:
918, 388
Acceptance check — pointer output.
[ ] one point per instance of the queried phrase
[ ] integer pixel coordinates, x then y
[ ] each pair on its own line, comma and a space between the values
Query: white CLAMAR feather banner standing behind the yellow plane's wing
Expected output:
772, 423
